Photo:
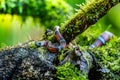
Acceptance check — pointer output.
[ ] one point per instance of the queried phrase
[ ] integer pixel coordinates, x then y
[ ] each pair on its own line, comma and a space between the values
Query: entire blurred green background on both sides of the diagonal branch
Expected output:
23, 20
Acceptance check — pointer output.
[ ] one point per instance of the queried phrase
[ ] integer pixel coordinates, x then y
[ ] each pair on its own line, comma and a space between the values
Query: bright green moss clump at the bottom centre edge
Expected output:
69, 72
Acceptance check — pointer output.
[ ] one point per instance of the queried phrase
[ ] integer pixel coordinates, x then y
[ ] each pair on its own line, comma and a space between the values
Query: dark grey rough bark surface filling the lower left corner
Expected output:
25, 63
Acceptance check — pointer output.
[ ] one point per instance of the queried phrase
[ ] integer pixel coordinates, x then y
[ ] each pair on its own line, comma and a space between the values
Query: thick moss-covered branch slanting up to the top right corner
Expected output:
88, 14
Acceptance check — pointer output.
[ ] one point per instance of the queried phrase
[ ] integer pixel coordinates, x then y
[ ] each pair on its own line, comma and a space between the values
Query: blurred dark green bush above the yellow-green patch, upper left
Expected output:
50, 12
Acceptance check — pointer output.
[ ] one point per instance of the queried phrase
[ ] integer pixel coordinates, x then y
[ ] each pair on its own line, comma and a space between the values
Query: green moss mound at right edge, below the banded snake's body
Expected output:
109, 57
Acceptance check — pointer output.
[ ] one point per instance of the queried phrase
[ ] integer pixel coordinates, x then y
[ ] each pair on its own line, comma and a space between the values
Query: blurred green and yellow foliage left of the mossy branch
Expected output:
22, 22
